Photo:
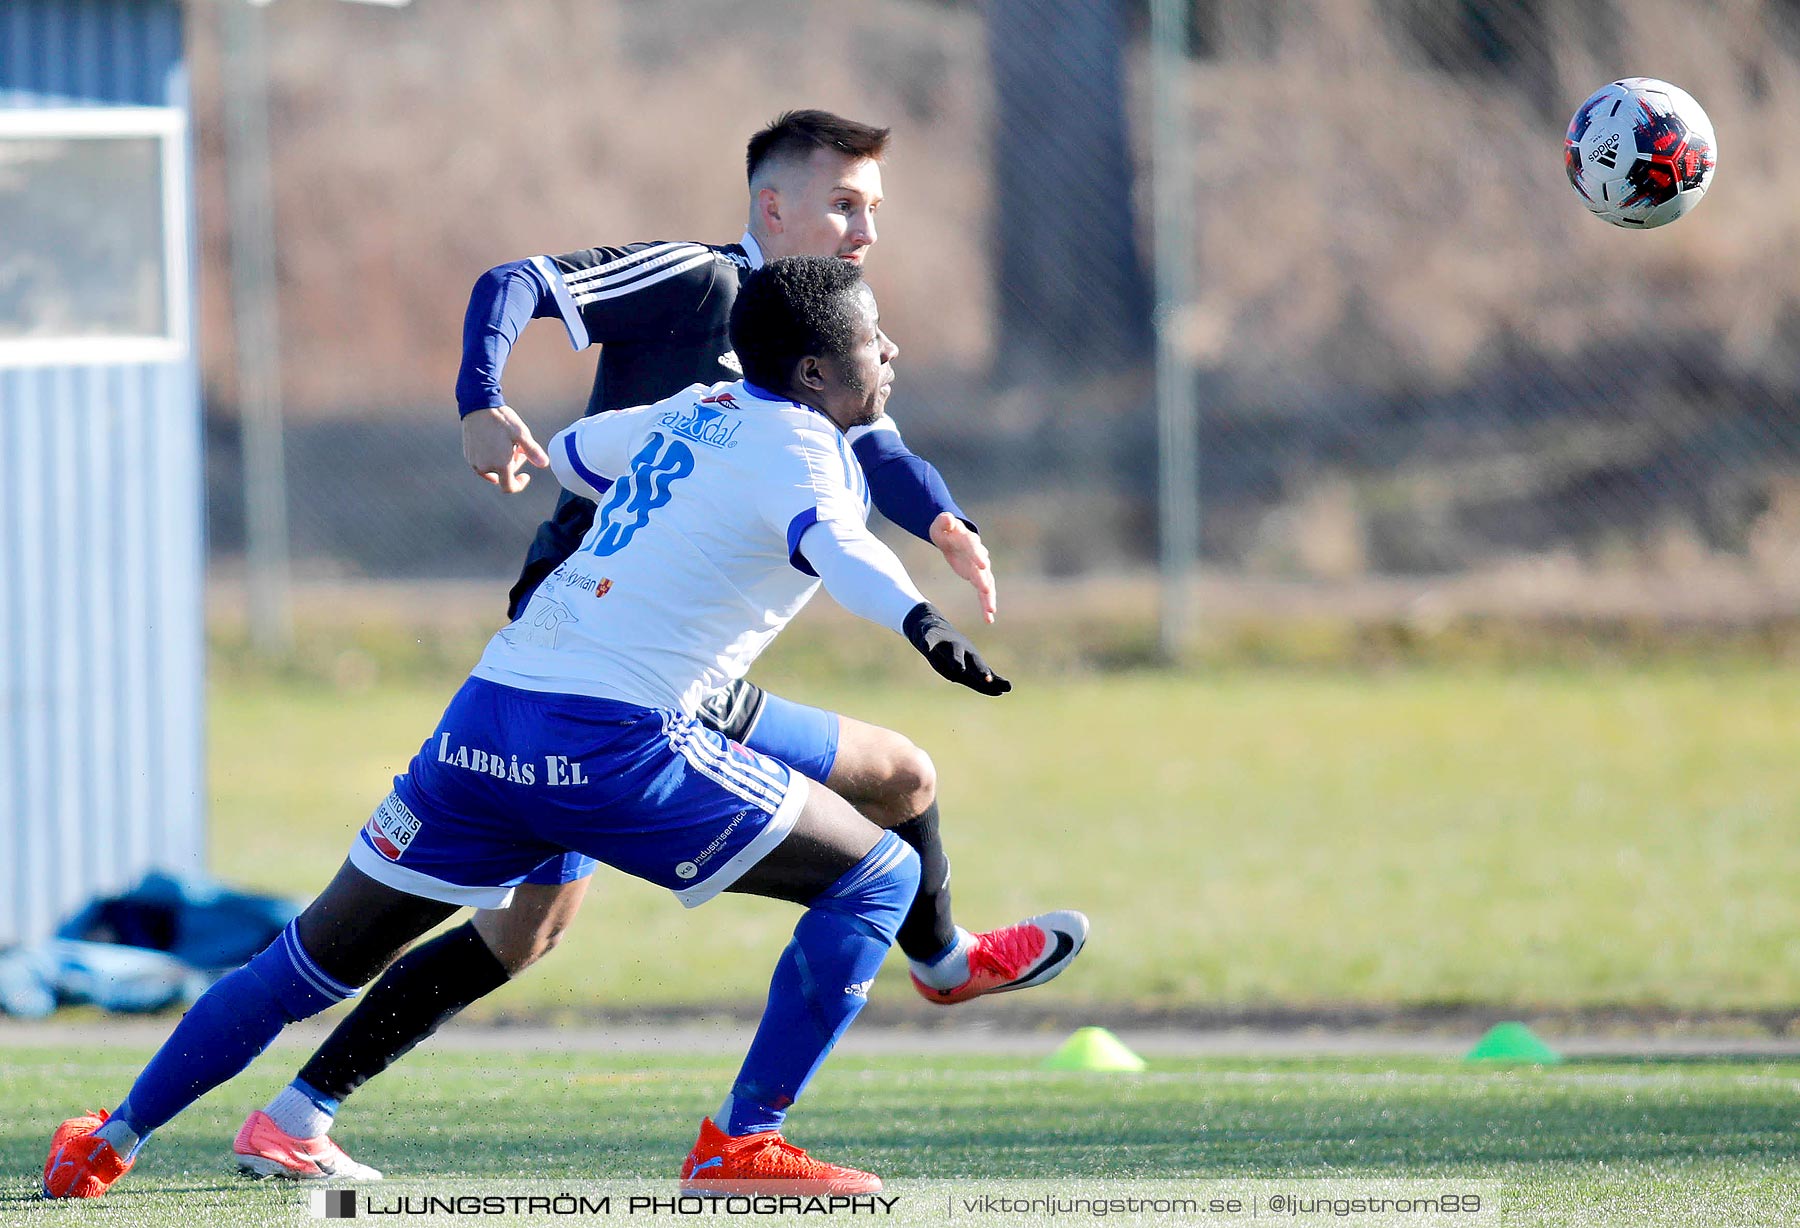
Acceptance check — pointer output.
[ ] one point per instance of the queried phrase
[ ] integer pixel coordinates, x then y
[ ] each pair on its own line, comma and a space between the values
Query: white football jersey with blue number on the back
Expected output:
690, 568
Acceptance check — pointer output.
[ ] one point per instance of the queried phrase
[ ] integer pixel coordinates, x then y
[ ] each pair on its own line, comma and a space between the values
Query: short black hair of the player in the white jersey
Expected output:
793, 309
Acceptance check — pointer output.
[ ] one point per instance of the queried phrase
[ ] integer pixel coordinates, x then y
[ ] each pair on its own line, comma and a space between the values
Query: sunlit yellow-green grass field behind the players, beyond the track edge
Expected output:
1536, 836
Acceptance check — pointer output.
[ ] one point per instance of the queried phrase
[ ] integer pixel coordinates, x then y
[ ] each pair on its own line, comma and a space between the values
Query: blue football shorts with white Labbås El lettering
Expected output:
514, 784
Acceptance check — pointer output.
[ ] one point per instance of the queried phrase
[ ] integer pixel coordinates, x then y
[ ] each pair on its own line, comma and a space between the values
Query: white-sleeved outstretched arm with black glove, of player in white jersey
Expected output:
867, 579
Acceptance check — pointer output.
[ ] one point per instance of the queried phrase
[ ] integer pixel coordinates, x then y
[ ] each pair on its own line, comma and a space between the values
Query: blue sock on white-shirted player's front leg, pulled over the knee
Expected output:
820, 984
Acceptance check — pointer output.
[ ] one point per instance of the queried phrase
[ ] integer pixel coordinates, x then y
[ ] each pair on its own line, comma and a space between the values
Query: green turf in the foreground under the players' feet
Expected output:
1579, 1144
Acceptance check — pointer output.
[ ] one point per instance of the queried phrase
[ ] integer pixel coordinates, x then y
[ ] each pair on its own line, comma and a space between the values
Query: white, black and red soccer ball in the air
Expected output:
1641, 154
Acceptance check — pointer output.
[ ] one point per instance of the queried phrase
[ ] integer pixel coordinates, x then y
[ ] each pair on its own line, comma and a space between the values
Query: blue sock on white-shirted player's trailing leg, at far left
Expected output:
226, 1031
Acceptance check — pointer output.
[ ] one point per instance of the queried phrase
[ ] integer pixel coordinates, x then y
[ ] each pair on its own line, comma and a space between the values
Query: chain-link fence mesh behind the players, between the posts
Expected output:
1416, 352
